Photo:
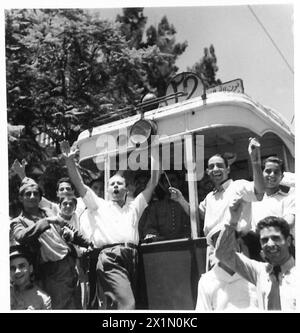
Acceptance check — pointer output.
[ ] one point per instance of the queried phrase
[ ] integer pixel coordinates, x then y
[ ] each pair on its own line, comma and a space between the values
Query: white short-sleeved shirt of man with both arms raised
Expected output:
105, 222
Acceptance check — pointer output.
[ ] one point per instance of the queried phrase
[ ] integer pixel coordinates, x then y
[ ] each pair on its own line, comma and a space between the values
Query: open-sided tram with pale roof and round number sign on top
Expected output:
201, 123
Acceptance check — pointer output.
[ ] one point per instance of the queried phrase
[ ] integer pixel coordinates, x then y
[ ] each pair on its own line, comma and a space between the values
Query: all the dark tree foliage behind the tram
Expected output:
68, 71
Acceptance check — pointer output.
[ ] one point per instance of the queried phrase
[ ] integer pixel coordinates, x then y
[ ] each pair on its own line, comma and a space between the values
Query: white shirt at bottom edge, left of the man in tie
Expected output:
220, 291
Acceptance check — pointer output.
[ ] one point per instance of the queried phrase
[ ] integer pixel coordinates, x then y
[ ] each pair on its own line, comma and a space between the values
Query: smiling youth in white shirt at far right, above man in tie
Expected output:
275, 201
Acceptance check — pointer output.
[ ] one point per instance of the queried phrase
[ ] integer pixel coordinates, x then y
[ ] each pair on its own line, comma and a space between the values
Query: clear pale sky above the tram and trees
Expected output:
243, 48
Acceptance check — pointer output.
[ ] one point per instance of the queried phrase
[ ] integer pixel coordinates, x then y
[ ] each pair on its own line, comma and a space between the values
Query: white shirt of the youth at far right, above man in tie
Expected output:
279, 204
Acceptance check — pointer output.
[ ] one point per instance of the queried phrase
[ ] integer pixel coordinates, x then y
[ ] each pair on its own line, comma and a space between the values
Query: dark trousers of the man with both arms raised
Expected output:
117, 276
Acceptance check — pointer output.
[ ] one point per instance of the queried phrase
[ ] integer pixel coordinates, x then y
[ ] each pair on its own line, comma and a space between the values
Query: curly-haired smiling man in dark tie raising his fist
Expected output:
276, 279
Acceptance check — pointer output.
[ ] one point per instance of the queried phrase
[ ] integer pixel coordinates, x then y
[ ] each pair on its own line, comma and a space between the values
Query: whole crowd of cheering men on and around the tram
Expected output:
82, 252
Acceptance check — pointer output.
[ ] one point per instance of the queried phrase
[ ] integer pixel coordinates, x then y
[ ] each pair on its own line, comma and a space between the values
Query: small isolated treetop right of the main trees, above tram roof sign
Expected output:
207, 68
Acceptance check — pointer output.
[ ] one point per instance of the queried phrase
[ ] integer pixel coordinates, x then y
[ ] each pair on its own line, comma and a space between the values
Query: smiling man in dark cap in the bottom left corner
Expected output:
25, 295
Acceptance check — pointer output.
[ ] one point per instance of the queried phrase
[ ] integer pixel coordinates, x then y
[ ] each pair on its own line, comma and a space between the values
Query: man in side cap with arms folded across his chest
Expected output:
42, 233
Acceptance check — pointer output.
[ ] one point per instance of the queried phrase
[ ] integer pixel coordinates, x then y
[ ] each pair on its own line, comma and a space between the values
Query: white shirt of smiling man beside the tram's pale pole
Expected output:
215, 206
